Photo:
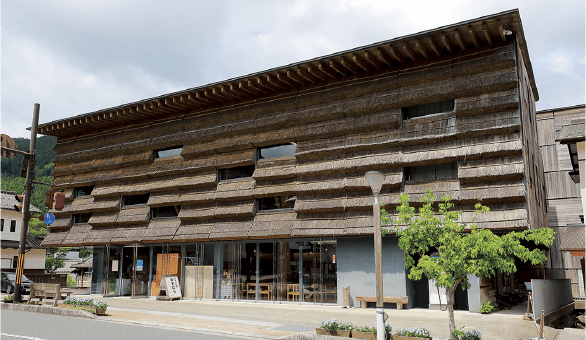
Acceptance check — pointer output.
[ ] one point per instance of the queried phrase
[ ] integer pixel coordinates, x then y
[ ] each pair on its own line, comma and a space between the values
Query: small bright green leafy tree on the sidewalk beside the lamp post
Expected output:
461, 249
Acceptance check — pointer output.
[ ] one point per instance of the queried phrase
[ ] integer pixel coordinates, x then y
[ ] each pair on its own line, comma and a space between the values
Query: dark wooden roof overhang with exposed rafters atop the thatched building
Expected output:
336, 67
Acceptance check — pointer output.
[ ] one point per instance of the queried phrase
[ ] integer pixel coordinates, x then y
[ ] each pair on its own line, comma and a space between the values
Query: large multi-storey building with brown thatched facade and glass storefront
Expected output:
253, 187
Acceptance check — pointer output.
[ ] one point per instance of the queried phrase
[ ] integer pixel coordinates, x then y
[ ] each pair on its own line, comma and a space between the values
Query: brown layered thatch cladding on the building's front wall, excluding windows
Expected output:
341, 131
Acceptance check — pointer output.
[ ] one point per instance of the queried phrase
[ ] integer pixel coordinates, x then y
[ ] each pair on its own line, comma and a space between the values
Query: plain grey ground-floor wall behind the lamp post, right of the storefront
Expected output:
355, 257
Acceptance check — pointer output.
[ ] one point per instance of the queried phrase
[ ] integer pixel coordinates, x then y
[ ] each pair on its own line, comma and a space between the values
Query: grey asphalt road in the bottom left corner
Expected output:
38, 326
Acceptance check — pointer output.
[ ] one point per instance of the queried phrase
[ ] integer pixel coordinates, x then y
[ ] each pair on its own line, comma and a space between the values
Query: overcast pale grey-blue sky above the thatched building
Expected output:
75, 57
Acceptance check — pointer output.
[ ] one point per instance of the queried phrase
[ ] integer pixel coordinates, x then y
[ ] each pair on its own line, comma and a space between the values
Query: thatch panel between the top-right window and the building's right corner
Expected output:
487, 103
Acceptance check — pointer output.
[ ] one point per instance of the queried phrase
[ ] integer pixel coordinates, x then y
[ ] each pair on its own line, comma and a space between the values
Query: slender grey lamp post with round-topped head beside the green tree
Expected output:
376, 179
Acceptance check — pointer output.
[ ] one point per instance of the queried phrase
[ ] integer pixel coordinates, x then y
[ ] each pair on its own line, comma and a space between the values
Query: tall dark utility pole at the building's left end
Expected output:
30, 173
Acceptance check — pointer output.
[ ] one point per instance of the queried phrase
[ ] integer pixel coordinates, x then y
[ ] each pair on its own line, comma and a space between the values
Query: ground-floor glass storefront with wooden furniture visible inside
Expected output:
300, 270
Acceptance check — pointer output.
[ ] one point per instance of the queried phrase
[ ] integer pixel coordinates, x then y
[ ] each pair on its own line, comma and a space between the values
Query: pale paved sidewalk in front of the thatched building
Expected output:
271, 321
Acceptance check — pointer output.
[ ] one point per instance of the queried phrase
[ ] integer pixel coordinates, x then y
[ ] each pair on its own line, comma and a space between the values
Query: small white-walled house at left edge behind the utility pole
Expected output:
10, 227
